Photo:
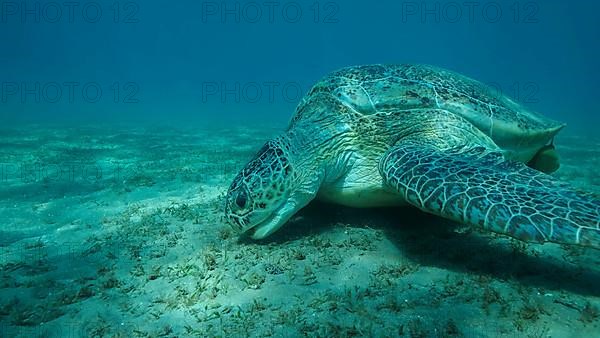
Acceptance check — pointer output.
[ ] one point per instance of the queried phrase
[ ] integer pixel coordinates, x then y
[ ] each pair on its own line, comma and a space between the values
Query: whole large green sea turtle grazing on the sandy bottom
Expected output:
381, 135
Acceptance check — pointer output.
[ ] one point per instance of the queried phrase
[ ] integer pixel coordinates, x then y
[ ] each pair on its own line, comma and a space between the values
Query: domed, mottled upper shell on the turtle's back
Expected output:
385, 88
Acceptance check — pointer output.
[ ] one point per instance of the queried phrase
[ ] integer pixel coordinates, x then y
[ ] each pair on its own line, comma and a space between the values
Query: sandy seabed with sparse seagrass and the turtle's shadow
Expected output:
119, 233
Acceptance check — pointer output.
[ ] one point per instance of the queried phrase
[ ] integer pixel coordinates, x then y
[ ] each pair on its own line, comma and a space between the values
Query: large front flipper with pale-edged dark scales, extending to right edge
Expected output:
478, 187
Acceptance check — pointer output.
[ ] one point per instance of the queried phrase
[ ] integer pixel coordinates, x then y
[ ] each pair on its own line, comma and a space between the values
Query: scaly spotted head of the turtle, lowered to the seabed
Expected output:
264, 195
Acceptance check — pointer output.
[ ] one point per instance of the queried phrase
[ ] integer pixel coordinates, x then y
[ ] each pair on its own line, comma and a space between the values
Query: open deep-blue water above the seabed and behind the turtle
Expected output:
216, 62
